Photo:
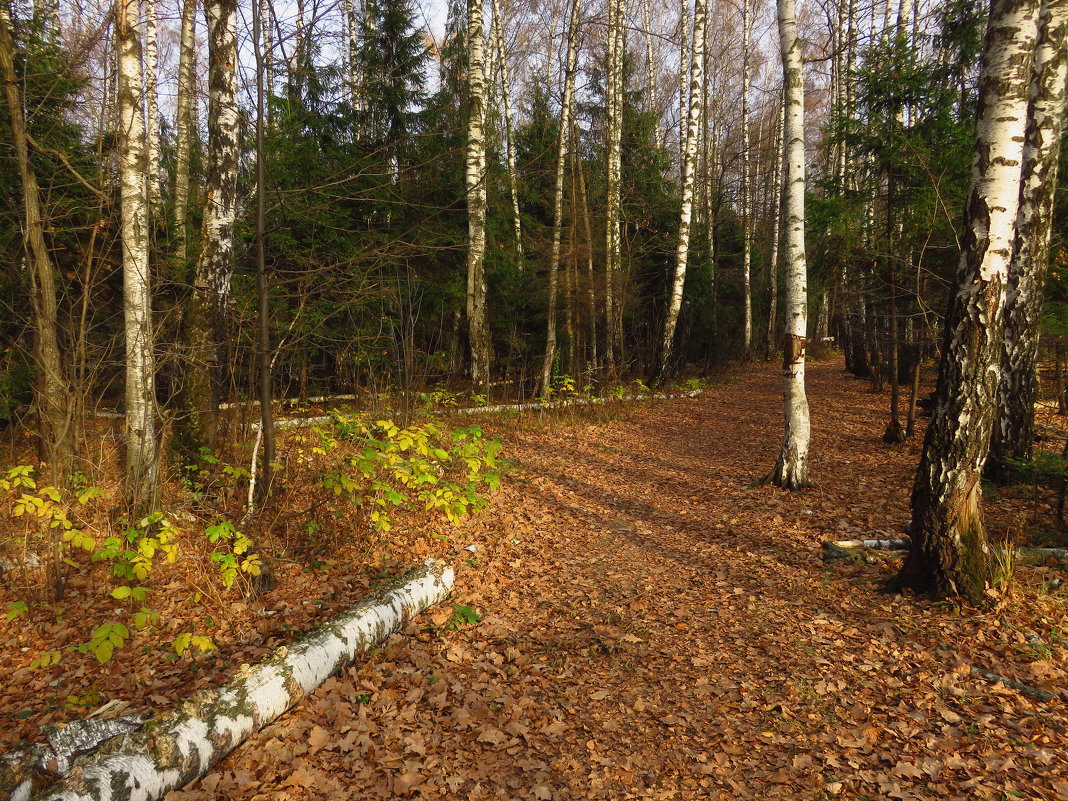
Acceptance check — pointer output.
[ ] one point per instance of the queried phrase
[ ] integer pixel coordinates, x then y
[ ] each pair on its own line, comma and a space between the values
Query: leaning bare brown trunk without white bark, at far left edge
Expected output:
53, 397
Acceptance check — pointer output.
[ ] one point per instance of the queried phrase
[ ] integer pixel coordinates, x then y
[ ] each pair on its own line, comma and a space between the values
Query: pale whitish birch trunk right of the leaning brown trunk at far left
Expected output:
143, 450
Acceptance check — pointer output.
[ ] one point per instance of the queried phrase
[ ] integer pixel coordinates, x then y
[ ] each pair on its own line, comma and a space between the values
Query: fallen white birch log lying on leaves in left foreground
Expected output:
185, 744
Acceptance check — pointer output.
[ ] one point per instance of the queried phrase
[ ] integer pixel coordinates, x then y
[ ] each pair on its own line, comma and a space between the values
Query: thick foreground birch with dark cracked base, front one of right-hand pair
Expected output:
949, 553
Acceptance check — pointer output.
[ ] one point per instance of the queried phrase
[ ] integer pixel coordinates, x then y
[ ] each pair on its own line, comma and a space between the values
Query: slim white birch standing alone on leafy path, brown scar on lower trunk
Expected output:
792, 468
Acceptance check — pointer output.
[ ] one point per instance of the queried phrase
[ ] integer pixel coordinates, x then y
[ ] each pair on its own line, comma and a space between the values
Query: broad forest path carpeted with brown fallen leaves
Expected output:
657, 629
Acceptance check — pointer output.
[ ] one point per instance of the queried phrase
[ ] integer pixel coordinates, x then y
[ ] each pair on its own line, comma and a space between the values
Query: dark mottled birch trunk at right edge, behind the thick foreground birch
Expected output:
1014, 433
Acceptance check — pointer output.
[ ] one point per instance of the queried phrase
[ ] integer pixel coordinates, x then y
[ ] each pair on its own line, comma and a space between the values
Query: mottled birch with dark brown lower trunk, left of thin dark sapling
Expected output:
206, 331
